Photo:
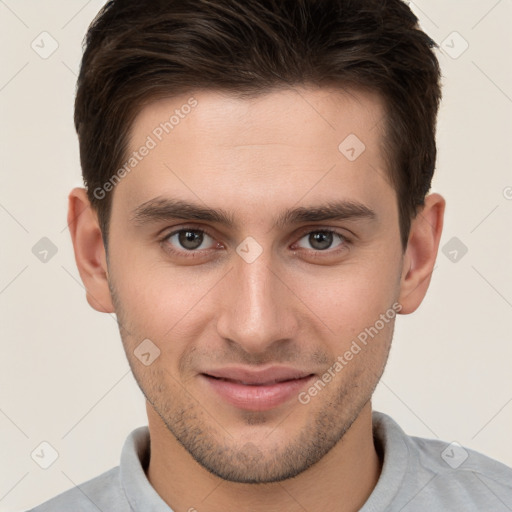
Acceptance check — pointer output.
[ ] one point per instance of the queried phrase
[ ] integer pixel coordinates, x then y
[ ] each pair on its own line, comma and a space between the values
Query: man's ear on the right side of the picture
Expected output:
421, 253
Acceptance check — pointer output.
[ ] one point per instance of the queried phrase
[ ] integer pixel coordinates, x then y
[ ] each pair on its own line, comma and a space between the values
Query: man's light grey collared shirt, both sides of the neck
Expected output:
417, 475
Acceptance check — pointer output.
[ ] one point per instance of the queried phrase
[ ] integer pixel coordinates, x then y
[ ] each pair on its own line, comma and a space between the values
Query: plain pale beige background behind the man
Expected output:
64, 377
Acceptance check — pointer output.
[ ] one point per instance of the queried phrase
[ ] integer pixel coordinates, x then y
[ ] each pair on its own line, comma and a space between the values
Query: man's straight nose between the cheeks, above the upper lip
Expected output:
259, 309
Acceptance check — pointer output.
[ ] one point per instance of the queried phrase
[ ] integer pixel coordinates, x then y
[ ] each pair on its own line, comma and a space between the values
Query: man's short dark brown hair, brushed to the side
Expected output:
137, 51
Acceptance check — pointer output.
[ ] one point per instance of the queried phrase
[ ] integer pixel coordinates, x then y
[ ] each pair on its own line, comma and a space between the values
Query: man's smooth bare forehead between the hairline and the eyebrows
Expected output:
291, 145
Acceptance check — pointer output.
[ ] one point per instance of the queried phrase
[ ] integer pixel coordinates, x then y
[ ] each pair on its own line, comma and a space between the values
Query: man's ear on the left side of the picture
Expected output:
90, 255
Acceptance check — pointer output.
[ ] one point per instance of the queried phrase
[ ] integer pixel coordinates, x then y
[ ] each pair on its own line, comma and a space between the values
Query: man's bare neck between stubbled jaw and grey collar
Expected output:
341, 481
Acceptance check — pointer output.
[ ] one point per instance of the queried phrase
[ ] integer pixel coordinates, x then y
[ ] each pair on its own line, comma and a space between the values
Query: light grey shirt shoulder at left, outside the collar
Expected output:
103, 492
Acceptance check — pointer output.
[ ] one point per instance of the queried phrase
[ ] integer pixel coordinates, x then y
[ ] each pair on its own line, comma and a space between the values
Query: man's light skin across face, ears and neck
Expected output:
255, 158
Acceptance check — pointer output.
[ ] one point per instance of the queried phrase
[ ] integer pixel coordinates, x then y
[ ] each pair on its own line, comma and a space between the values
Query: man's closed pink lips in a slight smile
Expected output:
256, 391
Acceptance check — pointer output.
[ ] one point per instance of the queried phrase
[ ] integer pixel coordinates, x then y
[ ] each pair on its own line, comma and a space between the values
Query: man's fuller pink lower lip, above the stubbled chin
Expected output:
257, 398
